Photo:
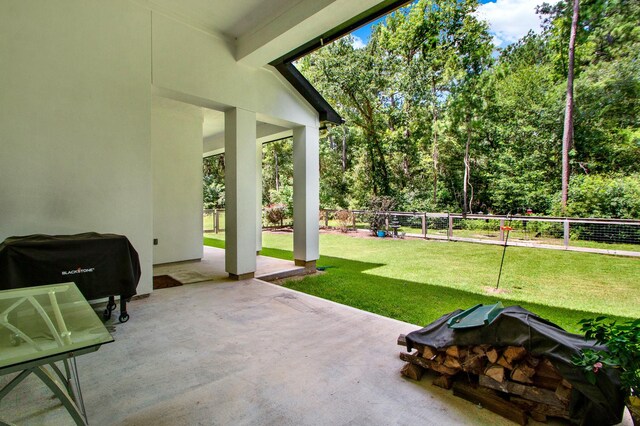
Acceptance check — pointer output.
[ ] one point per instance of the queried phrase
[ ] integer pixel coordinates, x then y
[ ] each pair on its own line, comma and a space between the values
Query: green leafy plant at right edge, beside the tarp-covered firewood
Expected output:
623, 351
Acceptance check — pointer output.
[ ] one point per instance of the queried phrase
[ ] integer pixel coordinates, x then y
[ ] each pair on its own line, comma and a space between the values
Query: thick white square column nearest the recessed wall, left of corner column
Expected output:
240, 192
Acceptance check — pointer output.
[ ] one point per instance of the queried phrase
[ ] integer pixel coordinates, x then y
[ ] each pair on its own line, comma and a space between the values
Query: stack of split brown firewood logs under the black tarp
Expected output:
507, 380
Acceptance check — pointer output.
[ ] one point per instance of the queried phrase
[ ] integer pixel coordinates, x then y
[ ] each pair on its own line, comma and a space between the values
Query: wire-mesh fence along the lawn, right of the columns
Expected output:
612, 236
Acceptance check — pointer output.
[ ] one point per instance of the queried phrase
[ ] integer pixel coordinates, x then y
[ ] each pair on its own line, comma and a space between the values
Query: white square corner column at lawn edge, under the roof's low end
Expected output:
306, 196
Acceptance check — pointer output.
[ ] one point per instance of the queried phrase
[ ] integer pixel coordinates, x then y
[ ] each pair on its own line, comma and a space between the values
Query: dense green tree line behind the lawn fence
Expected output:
429, 109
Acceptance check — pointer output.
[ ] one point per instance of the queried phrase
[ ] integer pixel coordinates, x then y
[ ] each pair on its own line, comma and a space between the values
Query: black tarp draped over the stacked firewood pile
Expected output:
599, 404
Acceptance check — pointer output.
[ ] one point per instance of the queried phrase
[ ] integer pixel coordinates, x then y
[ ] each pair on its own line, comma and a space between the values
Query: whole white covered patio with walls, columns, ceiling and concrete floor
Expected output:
108, 109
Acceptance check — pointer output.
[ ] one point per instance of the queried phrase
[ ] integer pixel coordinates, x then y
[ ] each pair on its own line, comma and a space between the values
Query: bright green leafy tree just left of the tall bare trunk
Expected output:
522, 130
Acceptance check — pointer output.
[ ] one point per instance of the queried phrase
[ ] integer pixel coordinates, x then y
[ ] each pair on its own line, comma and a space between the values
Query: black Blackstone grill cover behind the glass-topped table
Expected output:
101, 265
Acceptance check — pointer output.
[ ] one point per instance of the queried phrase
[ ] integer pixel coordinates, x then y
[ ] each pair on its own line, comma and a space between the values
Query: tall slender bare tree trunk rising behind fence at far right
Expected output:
567, 136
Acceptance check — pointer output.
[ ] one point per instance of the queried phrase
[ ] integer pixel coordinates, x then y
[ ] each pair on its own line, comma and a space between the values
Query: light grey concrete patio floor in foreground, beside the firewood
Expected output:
248, 353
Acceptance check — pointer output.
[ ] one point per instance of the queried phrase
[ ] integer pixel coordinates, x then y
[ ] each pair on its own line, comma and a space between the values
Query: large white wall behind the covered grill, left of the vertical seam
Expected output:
74, 121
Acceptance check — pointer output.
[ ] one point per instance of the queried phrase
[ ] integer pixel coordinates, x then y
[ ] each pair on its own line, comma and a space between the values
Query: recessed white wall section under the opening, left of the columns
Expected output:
176, 147
